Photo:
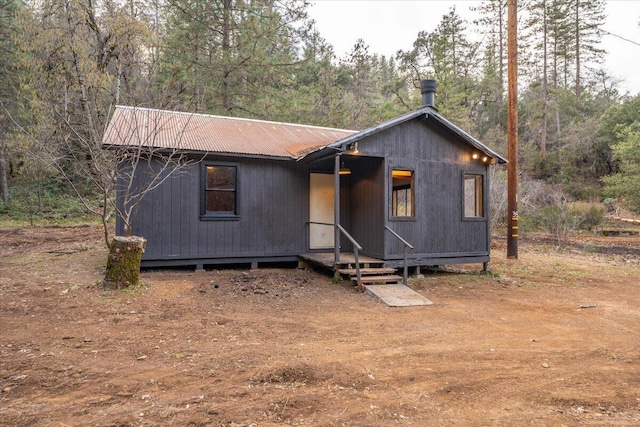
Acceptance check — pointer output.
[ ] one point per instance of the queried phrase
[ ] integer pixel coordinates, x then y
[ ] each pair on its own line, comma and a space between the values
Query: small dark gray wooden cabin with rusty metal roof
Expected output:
409, 192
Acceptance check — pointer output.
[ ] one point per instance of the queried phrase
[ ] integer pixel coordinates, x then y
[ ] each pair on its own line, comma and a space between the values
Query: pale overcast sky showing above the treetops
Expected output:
387, 26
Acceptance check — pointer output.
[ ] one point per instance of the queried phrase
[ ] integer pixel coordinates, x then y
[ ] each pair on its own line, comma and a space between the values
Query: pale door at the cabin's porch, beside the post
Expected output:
321, 204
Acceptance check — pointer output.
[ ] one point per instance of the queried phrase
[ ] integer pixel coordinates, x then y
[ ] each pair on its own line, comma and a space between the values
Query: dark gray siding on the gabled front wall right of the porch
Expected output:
439, 160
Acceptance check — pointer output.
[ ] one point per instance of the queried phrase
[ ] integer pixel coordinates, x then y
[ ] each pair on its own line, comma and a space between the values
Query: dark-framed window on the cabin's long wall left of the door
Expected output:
220, 190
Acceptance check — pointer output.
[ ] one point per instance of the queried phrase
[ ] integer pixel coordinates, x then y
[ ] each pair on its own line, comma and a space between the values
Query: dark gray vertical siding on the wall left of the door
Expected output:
271, 223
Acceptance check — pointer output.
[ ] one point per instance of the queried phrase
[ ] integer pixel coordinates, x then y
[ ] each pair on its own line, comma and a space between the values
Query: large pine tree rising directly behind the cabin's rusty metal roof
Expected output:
231, 56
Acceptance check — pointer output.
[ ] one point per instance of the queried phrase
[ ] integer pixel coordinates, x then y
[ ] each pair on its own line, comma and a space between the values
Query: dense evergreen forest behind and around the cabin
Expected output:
65, 64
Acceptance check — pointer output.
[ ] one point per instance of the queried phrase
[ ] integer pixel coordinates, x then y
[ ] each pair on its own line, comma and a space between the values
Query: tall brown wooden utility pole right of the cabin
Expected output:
512, 129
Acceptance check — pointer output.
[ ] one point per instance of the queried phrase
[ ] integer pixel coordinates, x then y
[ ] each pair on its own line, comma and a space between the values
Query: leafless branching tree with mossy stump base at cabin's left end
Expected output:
133, 161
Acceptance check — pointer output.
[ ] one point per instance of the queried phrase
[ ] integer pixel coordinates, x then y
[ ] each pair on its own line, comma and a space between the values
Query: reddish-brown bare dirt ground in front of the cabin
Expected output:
550, 339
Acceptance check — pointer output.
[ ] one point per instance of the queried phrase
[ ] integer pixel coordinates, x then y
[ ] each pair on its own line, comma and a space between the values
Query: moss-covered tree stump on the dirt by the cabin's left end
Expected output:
123, 263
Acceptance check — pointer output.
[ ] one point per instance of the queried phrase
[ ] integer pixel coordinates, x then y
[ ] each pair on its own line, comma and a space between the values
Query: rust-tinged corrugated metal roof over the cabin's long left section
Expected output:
133, 126
